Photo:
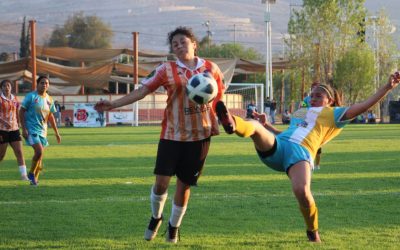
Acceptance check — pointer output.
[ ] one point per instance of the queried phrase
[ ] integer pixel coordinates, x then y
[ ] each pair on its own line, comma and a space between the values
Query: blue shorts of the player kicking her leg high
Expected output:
286, 155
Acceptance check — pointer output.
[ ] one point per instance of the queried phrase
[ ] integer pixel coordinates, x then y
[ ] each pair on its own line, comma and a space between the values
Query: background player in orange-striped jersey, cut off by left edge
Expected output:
9, 126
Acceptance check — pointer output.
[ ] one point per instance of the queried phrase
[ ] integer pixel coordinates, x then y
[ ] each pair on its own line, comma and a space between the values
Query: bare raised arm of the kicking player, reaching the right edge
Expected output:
360, 108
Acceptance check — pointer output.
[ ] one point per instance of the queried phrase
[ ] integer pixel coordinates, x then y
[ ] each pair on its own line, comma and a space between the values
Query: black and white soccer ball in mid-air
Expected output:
202, 88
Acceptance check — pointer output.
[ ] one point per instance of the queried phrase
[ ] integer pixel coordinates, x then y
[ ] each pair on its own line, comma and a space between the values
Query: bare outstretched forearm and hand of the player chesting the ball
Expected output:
132, 97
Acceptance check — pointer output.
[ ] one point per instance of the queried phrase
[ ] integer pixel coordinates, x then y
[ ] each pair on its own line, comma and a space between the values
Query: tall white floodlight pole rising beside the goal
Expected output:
268, 63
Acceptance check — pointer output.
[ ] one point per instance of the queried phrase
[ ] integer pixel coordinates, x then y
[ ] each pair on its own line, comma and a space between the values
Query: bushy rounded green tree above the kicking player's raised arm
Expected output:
354, 73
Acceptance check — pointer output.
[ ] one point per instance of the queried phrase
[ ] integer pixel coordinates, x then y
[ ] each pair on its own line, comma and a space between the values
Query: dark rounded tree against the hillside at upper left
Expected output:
84, 32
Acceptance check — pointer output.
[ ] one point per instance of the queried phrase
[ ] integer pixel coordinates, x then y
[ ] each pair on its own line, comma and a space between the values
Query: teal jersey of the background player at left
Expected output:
38, 109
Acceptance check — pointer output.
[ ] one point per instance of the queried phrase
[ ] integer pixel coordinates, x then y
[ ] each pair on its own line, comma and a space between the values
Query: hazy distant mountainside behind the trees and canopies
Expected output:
240, 21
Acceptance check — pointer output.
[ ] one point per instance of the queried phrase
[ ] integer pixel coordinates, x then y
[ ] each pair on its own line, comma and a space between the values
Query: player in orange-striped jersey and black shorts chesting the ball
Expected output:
186, 128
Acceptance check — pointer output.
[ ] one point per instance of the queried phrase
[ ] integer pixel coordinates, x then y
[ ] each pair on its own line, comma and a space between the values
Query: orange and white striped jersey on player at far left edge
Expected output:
8, 113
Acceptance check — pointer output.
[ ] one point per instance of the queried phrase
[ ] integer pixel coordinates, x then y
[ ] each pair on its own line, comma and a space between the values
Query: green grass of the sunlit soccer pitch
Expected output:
94, 194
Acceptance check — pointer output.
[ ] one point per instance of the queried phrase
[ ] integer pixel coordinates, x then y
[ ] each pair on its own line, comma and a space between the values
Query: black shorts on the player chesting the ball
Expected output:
183, 159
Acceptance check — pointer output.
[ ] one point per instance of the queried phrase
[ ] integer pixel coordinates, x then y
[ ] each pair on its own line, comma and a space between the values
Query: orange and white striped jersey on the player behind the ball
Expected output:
183, 119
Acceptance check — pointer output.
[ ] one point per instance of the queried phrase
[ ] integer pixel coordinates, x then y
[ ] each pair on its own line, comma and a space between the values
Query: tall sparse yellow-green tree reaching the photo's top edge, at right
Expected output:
322, 31
